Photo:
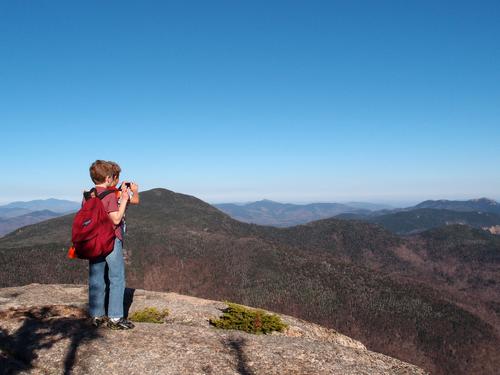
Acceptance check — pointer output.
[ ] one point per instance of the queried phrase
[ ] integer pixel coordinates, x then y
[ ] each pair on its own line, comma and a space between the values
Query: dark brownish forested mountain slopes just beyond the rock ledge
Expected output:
431, 299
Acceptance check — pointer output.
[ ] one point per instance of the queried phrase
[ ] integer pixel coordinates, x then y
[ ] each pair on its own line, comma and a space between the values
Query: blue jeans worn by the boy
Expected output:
97, 283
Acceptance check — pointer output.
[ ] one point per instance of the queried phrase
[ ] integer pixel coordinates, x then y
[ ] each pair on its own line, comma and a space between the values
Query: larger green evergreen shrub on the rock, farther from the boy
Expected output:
249, 320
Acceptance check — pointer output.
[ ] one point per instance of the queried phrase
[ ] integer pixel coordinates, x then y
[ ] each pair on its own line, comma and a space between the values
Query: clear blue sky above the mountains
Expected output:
296, 101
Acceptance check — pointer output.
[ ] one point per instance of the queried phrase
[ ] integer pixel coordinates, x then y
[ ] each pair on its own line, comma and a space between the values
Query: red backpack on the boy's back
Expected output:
93, 233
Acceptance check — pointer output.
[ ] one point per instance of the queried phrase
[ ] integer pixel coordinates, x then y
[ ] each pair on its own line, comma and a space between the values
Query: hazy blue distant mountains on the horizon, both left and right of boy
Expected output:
479, 213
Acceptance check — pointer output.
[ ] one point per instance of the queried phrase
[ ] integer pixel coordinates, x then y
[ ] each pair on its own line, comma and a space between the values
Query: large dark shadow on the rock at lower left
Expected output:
41, 328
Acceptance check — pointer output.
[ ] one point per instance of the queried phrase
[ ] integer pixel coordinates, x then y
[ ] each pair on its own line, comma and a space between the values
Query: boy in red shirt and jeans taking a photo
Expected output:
101, 173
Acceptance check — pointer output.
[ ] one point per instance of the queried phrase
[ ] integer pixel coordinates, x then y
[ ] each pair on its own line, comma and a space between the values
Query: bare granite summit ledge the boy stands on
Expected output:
44, 329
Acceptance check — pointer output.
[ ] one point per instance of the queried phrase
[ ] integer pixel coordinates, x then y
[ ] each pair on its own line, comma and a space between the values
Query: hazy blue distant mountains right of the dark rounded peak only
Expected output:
480, 213
